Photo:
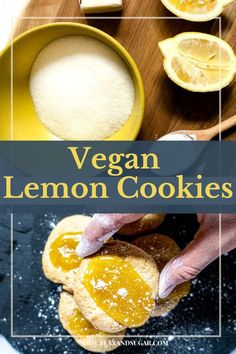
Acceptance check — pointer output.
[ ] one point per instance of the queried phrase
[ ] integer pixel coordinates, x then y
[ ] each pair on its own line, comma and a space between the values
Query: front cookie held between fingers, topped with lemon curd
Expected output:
117, 287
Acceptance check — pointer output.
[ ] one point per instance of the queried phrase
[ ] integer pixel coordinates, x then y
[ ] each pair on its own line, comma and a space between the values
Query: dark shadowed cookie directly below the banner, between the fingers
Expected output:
142, 226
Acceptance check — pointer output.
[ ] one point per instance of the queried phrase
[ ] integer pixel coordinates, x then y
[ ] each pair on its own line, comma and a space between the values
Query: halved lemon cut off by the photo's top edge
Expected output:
196, 10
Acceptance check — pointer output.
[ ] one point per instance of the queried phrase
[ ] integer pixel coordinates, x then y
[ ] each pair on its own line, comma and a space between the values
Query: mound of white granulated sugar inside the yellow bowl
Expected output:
81, 88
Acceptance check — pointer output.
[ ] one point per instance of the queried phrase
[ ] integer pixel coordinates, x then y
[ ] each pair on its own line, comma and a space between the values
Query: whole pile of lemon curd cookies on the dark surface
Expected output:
114, 289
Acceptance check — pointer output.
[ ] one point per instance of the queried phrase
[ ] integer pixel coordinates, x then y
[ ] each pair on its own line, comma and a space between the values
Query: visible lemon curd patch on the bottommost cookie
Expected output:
78, 325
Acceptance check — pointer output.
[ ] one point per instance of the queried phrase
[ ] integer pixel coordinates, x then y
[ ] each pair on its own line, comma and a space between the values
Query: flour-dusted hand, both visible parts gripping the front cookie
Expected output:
204, 249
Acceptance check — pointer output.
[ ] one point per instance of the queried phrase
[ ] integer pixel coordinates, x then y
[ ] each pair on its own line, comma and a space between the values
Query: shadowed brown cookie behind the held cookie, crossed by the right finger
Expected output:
163, 249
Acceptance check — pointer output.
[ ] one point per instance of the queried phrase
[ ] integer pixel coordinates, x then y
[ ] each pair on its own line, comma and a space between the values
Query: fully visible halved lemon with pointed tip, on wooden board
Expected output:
198, 62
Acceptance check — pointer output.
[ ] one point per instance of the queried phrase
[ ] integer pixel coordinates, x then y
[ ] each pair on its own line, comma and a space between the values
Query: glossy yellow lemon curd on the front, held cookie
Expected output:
119, 290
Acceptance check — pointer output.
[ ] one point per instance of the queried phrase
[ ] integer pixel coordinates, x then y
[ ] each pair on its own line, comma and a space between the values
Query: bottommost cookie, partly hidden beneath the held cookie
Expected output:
82, 330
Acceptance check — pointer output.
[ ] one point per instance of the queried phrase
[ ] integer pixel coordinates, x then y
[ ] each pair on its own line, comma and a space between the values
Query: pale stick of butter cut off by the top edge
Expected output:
99, 6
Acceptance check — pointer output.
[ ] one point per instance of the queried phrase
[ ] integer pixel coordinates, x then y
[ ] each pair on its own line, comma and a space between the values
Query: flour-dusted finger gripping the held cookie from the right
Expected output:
208, 244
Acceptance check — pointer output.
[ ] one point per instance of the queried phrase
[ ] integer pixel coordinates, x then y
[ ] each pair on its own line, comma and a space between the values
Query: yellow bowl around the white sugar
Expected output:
19, 120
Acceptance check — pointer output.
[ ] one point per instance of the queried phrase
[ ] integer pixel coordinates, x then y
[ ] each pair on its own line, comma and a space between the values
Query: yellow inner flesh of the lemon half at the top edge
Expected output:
194, 6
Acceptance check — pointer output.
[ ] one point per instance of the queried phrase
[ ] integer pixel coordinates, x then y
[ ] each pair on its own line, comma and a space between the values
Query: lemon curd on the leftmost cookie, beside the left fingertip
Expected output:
62, 251
